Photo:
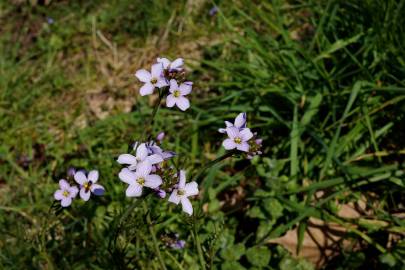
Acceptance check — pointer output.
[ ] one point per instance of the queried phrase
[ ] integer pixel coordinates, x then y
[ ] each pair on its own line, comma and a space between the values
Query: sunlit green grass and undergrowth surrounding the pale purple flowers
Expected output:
322, 82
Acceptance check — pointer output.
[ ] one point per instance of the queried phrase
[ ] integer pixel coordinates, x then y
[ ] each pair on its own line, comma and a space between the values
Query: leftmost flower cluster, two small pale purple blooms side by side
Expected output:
86, 185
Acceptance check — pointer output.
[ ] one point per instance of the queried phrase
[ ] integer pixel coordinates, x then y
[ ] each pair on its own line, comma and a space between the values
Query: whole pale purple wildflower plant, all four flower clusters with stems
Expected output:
148, 168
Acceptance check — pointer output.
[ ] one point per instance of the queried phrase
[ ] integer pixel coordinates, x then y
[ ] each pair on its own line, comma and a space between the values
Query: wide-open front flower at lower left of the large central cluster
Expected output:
139, 179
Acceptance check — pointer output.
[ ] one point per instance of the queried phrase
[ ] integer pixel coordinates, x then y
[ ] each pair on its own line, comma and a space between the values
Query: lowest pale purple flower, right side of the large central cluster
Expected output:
181, 193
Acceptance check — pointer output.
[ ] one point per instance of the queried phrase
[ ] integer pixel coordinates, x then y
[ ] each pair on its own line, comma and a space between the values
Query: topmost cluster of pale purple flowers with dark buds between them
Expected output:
168, 77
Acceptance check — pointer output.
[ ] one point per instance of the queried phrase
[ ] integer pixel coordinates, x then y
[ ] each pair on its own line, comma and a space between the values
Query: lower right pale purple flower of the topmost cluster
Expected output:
177, 93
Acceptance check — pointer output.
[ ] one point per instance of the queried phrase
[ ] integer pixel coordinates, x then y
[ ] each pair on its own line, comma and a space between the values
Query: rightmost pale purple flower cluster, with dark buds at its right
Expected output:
240, 137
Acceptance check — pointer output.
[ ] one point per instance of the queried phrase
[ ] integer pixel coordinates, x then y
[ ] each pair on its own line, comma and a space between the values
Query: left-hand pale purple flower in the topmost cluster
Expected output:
151, 79
